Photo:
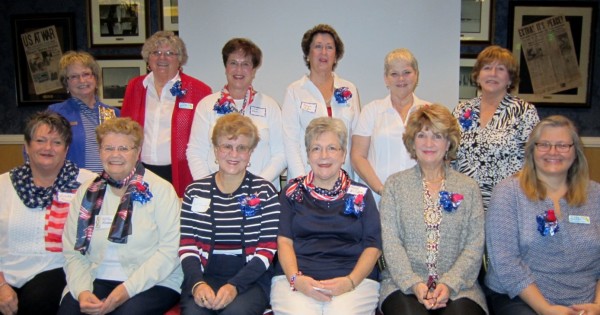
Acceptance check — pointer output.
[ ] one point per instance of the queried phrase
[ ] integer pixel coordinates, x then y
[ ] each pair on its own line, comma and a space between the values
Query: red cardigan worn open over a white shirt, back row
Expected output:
134, 106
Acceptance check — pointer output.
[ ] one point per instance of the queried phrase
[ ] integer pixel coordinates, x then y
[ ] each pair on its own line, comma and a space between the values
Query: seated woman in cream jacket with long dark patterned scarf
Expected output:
121, 236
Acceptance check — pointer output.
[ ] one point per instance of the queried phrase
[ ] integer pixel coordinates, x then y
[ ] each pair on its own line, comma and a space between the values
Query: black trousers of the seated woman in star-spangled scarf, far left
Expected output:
41, 295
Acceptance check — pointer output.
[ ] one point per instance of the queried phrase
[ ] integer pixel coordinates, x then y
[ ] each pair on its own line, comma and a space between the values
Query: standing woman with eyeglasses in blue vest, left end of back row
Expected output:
80, 75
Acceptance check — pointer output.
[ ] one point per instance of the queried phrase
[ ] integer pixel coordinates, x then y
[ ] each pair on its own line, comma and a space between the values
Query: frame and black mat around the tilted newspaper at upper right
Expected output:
581, 17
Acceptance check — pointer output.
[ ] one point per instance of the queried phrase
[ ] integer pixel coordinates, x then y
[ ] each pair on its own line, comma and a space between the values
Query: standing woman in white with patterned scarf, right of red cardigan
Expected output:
241, 58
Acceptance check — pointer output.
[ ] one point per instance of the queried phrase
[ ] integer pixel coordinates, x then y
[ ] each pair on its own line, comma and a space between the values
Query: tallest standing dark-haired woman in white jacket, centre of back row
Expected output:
321, 93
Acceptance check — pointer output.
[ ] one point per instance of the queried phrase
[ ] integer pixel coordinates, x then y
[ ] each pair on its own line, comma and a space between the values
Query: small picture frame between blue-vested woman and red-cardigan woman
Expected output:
116, 74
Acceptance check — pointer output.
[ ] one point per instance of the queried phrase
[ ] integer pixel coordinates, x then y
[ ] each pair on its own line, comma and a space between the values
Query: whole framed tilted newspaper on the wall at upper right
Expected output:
553, 44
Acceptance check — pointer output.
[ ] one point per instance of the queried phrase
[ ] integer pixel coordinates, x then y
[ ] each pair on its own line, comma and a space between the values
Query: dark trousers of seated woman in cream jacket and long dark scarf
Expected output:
156, 300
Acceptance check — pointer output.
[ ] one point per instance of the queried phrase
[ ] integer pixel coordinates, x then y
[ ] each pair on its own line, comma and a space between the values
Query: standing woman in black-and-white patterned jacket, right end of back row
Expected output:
494, 126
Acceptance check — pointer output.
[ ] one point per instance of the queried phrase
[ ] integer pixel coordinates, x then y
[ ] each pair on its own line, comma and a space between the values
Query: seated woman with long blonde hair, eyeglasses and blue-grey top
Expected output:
542, 229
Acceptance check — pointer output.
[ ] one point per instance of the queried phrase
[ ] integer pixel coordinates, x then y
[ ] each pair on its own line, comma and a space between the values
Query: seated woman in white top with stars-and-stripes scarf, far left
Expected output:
35, 202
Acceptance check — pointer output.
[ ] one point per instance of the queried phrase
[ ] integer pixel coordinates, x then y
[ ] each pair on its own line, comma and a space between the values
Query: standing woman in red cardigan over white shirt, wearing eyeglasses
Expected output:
164, 102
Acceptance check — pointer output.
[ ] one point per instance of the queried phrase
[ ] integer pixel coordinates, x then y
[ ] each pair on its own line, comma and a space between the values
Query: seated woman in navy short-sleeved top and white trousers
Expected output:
329, 234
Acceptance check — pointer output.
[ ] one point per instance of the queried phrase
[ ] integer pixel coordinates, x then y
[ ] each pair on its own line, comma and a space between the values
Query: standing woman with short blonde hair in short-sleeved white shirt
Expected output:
377, 147
